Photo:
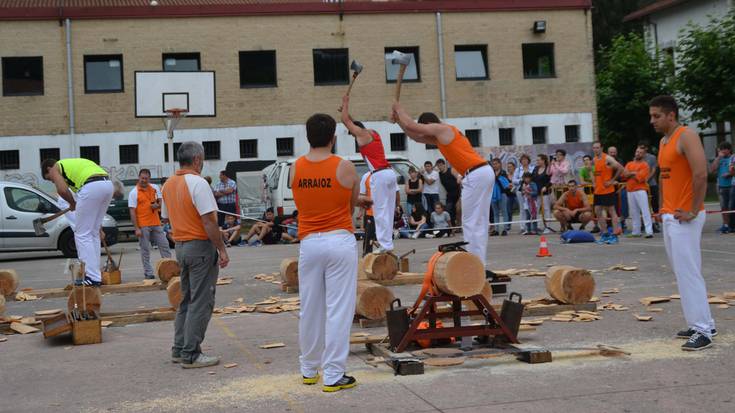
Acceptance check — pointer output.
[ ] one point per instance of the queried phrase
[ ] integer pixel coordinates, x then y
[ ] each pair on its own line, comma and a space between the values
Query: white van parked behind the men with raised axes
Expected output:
278, 188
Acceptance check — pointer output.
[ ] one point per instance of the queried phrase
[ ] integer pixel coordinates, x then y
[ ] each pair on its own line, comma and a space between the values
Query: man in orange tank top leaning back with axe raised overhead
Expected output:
478, 178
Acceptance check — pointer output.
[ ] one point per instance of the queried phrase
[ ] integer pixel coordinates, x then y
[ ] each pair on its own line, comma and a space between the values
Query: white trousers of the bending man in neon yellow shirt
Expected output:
92, 202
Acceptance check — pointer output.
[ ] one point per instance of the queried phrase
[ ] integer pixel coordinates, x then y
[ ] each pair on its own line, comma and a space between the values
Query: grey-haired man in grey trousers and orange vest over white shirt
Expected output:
189, 204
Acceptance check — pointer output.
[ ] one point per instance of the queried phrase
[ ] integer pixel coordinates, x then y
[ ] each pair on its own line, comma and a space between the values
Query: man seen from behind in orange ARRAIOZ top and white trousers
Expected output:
325, 190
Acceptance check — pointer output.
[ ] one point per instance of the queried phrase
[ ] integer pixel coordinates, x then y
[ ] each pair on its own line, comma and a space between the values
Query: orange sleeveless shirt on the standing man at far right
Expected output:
676, 177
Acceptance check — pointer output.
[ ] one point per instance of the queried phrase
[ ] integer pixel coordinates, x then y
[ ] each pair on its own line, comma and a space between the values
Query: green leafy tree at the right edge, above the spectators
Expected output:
705, 70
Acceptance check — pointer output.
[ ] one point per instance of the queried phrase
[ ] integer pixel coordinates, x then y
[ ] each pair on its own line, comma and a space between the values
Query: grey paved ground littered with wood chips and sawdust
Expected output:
130, 371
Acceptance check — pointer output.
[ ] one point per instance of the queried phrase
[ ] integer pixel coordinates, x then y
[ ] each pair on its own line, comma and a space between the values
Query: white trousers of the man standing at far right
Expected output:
682, 241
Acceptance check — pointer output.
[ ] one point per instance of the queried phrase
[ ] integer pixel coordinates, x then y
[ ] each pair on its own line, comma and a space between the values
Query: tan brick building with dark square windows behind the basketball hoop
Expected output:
511, 73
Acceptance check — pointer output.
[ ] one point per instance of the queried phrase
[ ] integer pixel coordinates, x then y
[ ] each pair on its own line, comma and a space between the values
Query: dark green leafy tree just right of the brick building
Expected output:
628, 78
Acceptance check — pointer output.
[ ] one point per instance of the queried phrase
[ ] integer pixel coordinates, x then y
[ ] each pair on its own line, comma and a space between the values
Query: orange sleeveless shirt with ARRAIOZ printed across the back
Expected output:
323, 203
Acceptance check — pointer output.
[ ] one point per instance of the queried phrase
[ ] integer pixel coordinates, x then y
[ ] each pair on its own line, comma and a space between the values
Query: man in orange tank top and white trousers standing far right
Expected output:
682, 185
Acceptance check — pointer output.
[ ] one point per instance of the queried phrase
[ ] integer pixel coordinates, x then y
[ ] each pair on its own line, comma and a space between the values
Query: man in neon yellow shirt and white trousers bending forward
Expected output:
93, 190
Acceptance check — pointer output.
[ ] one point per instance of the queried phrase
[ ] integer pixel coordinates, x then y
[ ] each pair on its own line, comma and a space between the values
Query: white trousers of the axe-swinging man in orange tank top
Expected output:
477, 191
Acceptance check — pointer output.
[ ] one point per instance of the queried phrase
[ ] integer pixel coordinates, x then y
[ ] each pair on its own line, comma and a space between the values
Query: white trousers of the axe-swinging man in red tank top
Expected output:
383, 186
